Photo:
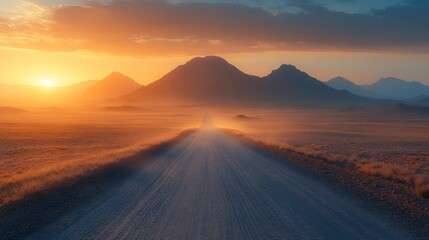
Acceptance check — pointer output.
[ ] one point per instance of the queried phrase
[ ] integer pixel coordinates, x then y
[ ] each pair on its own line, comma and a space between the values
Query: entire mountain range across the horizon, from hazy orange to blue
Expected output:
212, 80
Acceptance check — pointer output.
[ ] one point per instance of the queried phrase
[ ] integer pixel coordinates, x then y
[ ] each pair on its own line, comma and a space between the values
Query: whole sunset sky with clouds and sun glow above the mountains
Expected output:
68, 41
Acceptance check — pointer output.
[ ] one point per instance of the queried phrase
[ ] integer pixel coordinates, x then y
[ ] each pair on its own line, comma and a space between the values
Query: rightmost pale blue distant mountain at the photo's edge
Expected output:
396, 88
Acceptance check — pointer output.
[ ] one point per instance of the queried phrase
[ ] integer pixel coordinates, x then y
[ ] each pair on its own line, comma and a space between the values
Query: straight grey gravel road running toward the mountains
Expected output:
211, 186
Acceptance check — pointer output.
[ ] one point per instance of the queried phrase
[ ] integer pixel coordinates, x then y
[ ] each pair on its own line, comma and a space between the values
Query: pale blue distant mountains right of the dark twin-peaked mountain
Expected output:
388, 88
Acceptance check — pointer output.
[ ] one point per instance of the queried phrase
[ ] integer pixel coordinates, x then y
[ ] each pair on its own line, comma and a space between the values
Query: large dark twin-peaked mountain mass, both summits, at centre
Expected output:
213, 80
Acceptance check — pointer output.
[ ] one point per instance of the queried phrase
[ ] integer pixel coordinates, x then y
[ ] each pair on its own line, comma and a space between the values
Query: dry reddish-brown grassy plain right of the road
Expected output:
390, 146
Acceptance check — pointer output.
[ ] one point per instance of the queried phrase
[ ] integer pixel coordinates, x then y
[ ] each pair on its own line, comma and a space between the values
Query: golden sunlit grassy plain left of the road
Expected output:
42, 148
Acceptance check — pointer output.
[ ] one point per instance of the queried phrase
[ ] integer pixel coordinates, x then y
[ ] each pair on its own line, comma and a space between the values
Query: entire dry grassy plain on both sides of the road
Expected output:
41, 148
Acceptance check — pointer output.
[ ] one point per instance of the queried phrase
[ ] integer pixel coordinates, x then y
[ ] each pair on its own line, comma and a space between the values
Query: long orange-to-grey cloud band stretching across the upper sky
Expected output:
149, 27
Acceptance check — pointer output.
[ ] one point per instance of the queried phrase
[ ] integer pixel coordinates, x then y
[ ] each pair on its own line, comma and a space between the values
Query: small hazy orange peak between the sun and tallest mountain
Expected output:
114, 85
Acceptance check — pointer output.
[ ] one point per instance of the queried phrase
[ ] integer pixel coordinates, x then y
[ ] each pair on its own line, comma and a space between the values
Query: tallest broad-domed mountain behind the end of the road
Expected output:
201, 80
